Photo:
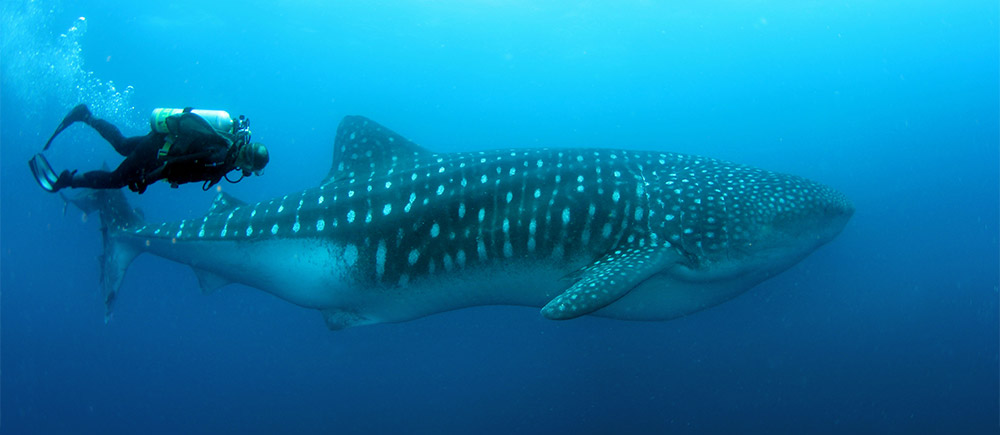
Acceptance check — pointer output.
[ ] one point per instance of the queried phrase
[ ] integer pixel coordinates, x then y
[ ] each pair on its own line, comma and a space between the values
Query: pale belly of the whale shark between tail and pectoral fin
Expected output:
317, 274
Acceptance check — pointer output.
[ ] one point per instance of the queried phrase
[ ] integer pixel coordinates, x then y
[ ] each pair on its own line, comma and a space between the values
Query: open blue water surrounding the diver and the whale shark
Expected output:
891, 328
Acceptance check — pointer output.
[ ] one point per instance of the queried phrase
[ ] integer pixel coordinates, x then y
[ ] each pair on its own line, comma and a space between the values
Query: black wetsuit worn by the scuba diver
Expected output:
197, 153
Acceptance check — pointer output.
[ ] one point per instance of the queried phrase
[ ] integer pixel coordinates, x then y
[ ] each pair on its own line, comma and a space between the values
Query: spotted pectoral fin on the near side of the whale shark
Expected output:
607, 280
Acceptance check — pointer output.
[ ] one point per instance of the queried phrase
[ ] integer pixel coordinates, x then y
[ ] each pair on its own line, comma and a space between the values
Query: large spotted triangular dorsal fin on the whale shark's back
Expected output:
365, 149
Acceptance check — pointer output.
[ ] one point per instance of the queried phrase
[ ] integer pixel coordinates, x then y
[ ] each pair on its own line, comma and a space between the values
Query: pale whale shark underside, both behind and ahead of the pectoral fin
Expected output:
318, 274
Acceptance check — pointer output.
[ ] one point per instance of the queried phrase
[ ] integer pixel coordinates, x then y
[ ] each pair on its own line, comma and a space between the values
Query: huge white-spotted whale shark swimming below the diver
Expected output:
396, 232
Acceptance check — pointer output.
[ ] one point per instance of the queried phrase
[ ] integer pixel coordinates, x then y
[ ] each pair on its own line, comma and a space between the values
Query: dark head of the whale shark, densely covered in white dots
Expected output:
736, 218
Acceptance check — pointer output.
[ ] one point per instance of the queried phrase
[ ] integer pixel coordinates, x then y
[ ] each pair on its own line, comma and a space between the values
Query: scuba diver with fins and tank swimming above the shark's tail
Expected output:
183, 147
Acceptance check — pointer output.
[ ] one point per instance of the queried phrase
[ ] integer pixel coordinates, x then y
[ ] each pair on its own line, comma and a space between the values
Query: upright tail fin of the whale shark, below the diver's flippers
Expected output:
116, 215
